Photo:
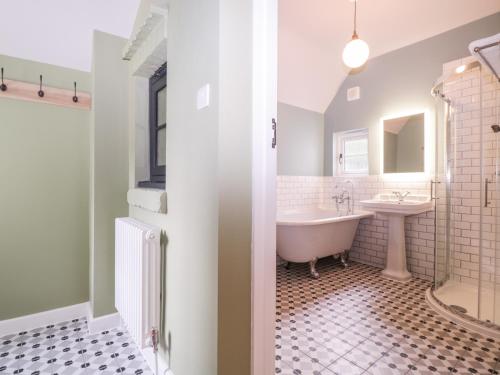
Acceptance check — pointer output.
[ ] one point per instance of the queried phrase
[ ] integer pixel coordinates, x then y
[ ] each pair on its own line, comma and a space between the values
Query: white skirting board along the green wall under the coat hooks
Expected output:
32, 321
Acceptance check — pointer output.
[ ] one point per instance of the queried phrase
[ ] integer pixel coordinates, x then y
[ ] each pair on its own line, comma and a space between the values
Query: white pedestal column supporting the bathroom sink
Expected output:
396, 251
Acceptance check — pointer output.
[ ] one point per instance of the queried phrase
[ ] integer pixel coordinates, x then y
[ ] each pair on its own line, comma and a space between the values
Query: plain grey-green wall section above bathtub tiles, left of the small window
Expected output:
301, 138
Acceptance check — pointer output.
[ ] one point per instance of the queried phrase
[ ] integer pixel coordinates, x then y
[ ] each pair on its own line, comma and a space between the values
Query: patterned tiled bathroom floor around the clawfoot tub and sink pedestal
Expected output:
353, 321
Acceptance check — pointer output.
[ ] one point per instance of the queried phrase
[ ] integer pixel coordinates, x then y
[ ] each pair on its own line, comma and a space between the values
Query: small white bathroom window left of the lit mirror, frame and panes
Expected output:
351, 152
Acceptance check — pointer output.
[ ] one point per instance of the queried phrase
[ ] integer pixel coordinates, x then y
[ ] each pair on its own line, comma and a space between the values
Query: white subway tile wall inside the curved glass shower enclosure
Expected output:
467, 197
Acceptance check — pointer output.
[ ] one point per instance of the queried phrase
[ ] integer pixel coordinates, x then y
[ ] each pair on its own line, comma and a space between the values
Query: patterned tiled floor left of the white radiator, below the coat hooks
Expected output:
67, 348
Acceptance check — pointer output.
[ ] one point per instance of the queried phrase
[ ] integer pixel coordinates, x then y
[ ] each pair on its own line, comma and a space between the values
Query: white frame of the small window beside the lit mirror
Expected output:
339, 149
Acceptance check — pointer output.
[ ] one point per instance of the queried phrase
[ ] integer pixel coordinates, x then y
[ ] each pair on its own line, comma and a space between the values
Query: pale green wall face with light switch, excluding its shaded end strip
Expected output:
191, 223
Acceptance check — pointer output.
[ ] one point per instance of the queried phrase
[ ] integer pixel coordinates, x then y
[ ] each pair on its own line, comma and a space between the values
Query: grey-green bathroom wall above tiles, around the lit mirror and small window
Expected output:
398, 81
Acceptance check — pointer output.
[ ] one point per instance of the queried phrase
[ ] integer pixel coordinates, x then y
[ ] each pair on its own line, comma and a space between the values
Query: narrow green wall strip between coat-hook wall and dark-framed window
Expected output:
109, 164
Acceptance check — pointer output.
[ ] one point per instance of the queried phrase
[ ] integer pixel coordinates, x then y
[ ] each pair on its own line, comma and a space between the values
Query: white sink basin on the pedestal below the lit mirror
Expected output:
388, 204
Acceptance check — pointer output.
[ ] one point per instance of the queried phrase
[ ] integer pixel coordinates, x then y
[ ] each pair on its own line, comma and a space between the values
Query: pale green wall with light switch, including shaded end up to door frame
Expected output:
208, 224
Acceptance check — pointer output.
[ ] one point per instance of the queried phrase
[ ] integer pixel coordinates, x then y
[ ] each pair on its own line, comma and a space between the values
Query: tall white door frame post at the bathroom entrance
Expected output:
264, 171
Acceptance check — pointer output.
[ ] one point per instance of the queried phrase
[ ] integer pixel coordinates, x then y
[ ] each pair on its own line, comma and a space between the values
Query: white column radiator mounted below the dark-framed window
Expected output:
137, 279
